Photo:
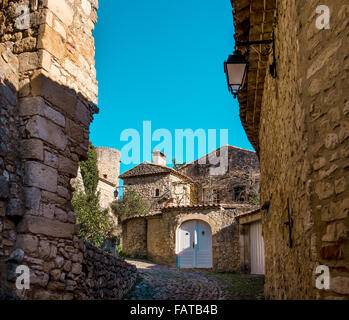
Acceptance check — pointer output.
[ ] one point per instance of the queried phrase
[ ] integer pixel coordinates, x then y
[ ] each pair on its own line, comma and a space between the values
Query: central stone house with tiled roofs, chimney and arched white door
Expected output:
182, 229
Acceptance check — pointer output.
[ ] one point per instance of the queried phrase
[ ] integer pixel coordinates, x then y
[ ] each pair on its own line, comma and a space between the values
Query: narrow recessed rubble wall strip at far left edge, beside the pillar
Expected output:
11, 188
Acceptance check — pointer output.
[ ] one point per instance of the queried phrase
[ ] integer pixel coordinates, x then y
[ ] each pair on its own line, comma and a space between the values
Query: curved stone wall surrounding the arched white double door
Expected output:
157, 234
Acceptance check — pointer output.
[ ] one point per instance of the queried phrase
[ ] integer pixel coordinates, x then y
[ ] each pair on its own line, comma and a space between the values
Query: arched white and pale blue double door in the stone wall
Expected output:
194, 245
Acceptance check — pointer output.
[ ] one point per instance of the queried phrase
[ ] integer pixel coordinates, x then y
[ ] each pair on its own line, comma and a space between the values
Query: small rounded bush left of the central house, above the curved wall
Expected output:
130, 205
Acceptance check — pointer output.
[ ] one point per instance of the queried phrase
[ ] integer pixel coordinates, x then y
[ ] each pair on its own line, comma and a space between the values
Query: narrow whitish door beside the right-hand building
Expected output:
257, 248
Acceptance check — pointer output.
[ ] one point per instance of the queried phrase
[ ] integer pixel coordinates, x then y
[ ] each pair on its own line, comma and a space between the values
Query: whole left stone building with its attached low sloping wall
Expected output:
47, 97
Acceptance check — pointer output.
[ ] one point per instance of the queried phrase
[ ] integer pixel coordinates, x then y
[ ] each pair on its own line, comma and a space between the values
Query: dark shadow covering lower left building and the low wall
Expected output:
44, 131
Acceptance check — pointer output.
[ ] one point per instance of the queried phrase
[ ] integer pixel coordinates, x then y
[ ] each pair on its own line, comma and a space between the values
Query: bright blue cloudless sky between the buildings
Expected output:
162, 61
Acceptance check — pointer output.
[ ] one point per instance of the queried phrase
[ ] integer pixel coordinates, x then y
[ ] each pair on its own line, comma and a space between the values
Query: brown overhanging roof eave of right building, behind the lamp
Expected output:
253, 20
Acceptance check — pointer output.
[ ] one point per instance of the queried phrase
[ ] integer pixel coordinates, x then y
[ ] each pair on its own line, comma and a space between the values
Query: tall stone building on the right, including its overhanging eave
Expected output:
298, 123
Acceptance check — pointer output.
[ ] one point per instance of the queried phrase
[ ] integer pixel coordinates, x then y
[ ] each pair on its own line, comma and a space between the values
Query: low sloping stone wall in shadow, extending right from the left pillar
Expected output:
105, 276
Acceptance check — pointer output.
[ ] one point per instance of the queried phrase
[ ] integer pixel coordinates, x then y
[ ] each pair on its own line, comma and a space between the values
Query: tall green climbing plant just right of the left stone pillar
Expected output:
95, 223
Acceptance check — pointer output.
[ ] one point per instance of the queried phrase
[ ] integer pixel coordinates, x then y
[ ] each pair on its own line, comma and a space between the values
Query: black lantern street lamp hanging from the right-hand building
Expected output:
236, 71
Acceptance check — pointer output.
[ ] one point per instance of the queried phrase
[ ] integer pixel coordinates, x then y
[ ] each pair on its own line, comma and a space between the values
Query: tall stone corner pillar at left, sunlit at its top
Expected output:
57, 96
